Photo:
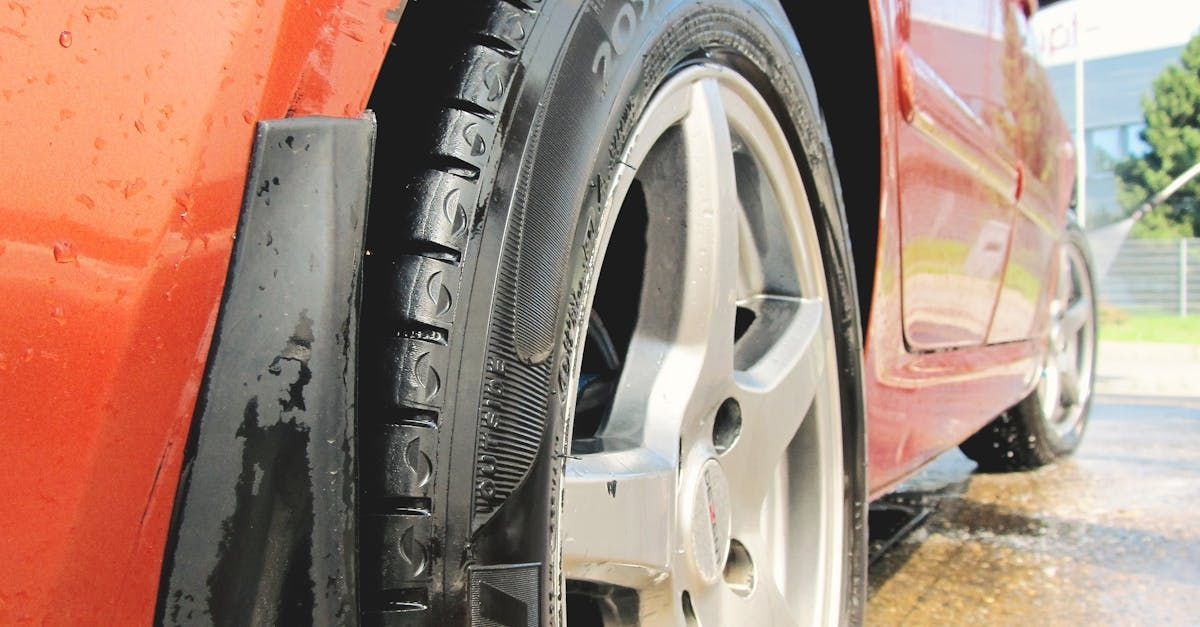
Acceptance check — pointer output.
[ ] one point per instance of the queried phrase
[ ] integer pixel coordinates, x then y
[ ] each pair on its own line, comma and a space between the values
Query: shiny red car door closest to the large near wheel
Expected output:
958, 180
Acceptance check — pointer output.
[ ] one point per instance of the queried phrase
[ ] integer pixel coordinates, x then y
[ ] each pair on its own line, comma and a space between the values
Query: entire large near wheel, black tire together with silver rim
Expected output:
613, 335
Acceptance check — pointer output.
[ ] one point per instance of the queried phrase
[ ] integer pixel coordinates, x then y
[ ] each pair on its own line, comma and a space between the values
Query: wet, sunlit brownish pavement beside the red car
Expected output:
1109, 536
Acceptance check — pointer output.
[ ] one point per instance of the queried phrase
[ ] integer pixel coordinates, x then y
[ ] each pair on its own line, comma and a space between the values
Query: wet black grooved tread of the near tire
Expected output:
418, 283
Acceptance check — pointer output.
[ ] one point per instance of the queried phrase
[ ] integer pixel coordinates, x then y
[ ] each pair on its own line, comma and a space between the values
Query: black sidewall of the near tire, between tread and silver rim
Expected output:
589, 73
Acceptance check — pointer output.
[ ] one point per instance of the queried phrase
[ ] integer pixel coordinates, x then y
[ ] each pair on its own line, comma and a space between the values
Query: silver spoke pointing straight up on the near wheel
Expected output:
681, 357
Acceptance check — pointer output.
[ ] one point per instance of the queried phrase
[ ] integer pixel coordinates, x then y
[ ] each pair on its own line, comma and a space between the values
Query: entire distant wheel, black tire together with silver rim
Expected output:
1049, 423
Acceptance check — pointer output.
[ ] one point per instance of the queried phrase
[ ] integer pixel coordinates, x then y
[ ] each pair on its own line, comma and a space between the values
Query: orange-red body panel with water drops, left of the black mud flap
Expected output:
127, 130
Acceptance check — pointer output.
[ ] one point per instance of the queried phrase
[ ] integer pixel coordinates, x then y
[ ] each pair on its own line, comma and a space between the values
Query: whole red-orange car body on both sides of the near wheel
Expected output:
125, 134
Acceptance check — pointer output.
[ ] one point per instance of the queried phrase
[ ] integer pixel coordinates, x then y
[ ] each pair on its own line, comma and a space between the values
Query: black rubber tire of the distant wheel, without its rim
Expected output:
1022, 438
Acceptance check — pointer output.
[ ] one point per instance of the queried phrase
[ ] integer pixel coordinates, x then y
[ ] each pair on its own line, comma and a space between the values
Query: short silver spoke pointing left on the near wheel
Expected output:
619, 510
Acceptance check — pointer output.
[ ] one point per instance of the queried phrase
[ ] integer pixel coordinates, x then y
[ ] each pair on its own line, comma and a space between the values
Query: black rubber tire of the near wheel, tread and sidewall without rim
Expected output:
500, 127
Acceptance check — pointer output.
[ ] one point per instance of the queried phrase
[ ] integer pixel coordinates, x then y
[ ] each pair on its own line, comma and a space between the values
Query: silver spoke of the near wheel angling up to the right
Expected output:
776, 396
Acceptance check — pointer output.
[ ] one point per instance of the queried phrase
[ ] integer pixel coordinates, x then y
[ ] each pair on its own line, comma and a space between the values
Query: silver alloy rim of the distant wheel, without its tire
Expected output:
1066, 380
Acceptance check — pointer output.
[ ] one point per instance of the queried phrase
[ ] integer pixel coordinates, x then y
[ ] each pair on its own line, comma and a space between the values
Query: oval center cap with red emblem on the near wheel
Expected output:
711, 522
